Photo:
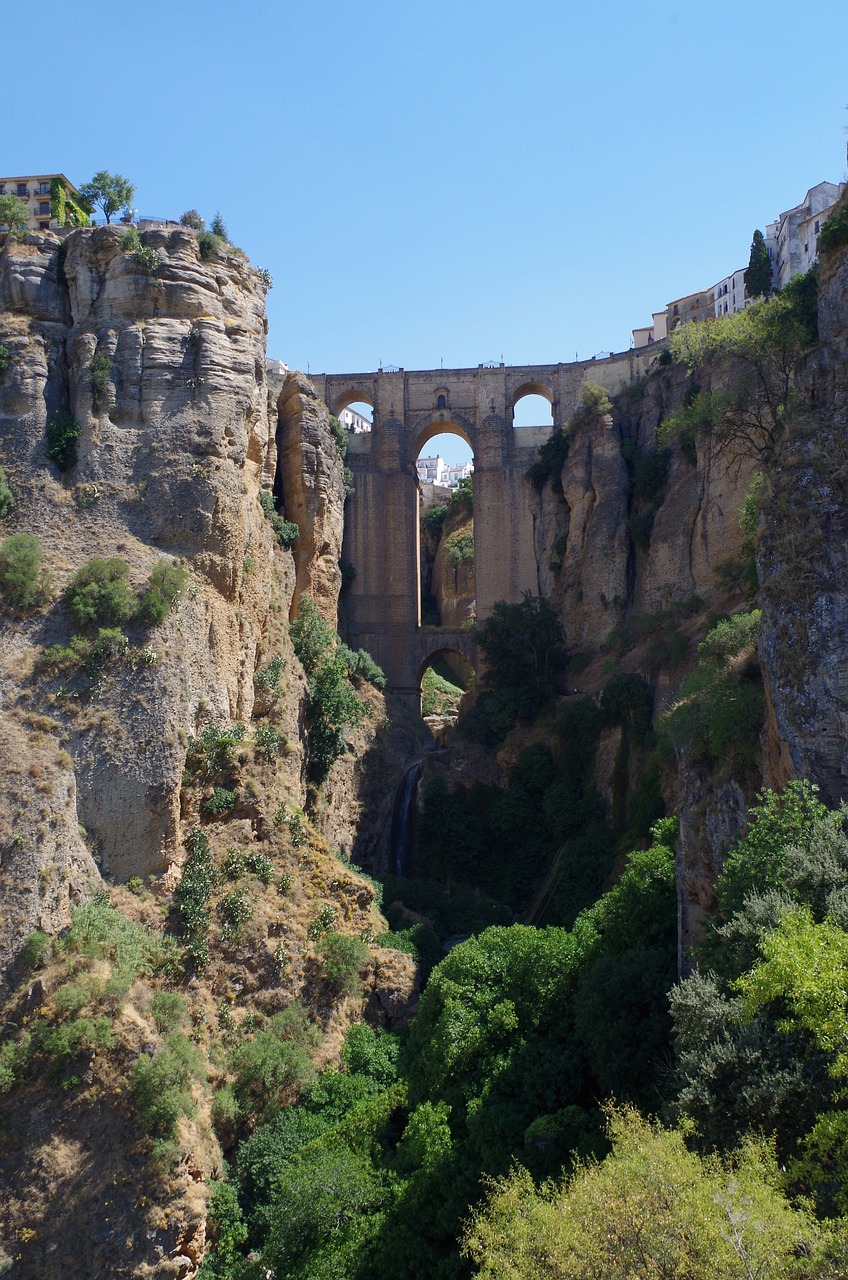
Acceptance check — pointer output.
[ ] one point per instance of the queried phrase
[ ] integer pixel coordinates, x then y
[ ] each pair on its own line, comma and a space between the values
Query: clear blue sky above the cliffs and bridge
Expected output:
454, 181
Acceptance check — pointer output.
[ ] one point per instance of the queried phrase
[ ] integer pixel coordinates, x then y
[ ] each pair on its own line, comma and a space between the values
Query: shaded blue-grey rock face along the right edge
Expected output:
804, 566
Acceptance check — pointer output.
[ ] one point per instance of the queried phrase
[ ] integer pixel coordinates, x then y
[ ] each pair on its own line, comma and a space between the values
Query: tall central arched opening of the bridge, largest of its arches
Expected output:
446, 586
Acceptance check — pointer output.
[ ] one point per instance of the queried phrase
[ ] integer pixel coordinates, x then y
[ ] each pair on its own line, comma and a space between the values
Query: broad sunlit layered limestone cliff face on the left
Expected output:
171, 460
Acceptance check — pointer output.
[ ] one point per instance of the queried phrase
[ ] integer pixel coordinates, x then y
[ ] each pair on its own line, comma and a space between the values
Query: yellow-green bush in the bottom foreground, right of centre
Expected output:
651, 1209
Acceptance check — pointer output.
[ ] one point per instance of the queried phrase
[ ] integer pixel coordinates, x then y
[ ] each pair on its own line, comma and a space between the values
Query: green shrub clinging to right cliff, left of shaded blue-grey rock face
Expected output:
722, 703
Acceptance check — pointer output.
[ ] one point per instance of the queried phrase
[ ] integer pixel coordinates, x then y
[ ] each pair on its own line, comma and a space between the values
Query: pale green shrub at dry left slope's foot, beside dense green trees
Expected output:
272, 1066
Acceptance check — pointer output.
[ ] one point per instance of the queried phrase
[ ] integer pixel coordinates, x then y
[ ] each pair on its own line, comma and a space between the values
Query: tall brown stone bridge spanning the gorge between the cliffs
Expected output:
382, 515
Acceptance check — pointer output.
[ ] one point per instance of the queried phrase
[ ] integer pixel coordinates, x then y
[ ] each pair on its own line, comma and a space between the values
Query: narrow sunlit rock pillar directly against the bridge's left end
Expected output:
313, 493
